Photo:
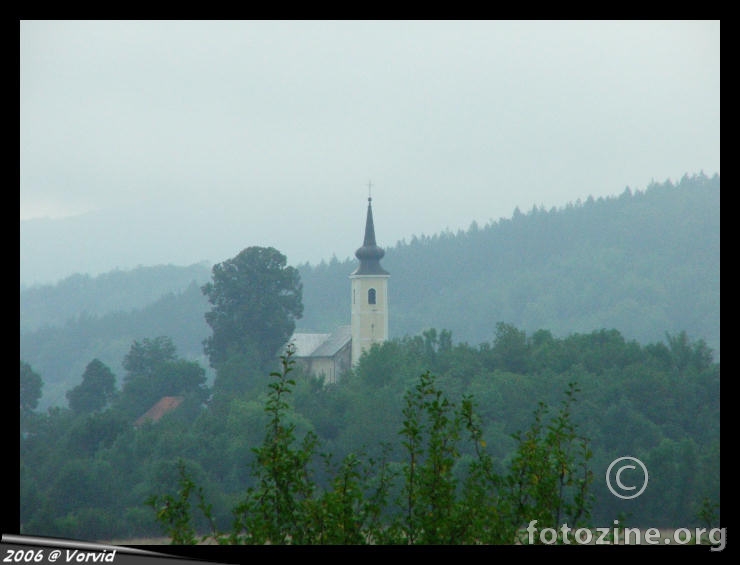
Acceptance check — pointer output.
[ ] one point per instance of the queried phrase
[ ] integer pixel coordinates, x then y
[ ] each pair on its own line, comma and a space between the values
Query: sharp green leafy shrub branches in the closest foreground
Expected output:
446, 495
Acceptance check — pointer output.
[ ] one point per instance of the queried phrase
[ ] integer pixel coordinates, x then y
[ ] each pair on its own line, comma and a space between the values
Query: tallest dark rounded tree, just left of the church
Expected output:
255, 299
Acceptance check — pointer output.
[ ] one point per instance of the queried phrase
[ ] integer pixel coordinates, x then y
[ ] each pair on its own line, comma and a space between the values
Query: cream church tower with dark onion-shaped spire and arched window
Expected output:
369, 293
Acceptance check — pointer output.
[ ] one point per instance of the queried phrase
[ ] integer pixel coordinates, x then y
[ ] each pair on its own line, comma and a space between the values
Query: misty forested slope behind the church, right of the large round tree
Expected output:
645, 262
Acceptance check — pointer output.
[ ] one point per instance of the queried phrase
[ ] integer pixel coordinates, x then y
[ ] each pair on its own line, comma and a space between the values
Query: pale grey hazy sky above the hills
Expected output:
274, 128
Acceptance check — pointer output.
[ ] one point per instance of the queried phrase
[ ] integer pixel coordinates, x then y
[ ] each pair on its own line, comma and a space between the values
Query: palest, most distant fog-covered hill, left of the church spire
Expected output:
153, 233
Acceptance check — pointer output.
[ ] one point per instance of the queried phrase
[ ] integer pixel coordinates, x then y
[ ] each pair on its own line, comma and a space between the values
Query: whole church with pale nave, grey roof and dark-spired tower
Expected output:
331, 354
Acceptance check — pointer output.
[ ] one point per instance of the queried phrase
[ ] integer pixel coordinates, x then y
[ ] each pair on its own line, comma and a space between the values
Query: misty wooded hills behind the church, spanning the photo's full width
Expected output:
645, 263
